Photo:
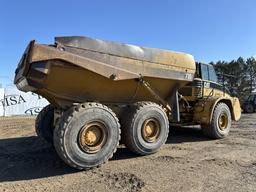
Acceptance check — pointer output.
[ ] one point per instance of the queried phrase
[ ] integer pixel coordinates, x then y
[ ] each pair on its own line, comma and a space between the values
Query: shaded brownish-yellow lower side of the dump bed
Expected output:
88, 86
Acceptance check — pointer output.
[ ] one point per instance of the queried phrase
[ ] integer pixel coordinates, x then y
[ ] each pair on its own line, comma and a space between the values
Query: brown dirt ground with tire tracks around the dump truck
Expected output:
188, 162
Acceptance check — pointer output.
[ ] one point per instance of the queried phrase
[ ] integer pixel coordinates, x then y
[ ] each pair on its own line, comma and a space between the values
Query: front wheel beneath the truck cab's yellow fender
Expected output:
220, 123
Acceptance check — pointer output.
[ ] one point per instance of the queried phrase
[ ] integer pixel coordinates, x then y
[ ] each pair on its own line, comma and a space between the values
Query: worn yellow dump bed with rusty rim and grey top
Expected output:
80, 69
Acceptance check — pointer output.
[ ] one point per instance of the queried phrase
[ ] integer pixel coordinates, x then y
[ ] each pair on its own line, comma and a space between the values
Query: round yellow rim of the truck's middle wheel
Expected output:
150, 130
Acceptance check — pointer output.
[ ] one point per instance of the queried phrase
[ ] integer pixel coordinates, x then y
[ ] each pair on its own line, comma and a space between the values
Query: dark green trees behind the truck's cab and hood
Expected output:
239, 76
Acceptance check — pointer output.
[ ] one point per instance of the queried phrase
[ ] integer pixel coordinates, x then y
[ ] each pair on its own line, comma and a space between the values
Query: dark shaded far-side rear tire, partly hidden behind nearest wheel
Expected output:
44, 123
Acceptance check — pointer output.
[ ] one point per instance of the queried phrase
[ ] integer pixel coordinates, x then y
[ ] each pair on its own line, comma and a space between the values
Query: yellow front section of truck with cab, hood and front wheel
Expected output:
206, 102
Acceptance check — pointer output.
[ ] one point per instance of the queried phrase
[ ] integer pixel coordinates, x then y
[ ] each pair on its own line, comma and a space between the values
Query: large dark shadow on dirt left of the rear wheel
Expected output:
27, 158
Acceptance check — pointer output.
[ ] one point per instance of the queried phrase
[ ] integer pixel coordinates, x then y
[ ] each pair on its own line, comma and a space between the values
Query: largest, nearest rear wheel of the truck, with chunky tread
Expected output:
87, 135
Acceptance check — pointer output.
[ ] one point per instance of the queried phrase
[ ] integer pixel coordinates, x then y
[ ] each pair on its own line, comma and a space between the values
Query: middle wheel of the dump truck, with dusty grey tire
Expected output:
145, 128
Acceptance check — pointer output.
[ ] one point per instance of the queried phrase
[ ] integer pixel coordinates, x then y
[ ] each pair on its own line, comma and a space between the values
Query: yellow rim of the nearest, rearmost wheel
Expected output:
92, 137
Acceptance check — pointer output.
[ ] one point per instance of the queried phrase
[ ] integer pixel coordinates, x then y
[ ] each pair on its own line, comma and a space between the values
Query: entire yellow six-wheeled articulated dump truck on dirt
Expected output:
101, 91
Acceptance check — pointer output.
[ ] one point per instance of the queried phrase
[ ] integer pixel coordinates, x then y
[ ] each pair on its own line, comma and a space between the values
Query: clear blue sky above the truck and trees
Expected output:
210, 30
